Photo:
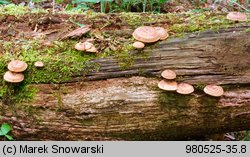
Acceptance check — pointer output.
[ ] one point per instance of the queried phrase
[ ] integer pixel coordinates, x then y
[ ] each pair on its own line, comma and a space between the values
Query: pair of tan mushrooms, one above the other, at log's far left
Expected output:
15, 75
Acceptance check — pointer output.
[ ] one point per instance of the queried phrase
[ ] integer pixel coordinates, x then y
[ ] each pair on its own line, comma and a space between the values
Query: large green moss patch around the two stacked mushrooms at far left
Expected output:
61, 62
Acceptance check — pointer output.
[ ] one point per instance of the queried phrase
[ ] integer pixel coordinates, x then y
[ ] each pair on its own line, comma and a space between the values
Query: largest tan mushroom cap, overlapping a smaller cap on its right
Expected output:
146, 34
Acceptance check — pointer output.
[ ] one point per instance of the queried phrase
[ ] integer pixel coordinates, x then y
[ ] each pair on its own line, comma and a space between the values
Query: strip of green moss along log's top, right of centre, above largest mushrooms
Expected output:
178, 24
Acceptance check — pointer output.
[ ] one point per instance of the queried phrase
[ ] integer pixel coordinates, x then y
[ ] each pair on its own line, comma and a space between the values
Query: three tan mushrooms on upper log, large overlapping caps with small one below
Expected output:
148, 34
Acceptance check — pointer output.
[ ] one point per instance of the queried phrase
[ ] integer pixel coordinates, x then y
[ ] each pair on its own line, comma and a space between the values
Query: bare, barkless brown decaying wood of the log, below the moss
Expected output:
106, 105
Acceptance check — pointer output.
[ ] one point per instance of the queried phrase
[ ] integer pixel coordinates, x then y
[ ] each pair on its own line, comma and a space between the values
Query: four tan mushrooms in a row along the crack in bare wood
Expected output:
169, 84
